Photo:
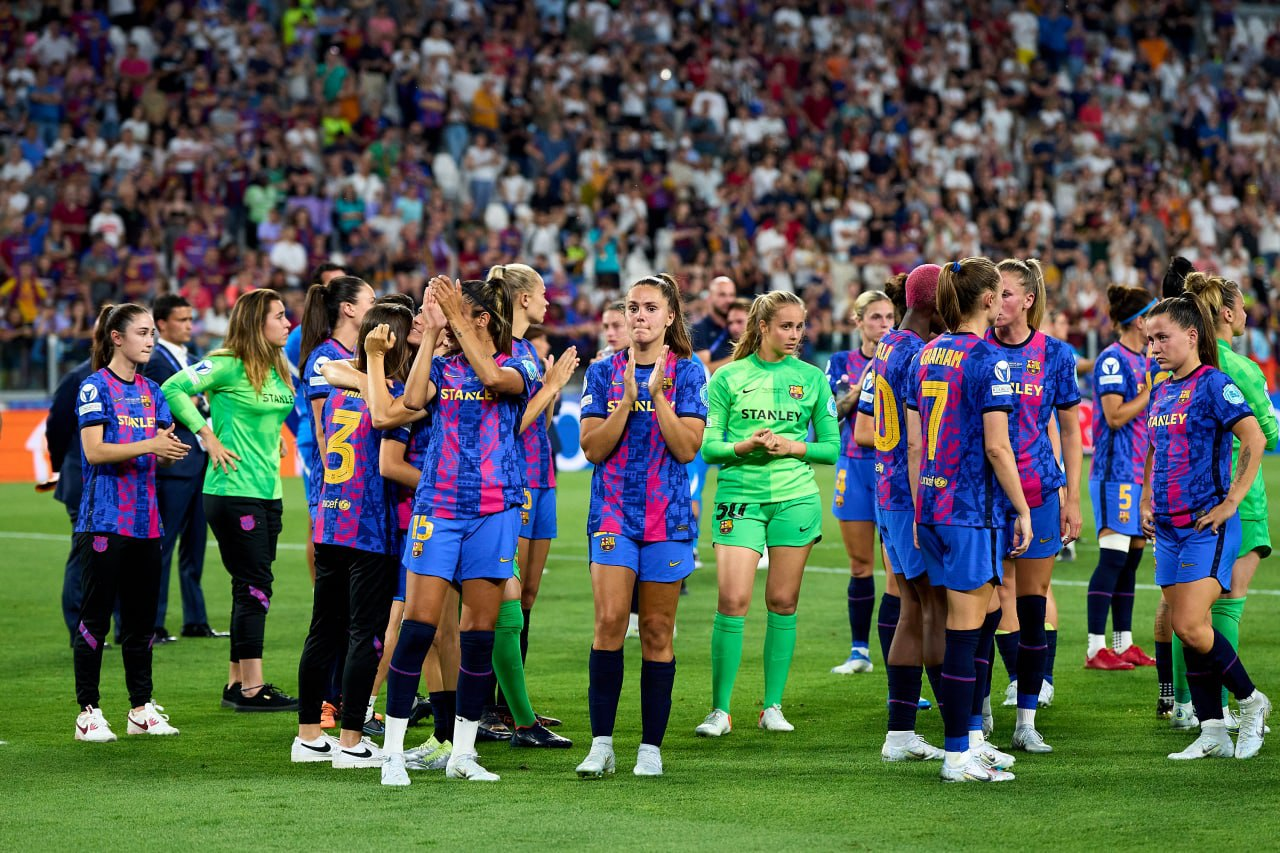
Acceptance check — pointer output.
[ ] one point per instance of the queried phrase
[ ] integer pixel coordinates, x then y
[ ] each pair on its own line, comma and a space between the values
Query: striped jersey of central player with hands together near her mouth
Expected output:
642, 491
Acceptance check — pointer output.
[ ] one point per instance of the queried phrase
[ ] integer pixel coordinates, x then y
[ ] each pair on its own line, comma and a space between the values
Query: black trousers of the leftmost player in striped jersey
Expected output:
126, 569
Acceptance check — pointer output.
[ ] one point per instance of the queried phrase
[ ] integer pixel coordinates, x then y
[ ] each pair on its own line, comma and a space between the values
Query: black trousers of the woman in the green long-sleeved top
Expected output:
248, 531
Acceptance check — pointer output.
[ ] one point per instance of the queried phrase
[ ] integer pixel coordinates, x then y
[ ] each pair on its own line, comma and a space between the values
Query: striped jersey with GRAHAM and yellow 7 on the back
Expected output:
958, 380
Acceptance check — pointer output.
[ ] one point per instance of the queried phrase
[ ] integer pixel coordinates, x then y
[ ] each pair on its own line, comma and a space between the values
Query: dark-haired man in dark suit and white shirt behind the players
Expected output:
180, 487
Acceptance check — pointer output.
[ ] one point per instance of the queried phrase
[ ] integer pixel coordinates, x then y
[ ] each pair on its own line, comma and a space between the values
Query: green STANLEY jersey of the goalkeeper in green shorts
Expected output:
785, 398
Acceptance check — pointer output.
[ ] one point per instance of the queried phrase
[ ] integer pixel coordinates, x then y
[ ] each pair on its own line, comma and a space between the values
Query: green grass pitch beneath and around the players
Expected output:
227, 782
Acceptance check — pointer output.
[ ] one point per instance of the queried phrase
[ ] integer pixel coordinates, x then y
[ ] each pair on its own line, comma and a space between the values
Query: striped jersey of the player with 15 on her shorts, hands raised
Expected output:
474, 466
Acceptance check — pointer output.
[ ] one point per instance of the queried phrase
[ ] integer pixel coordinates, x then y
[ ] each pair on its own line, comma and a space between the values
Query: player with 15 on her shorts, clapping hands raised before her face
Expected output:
467, 519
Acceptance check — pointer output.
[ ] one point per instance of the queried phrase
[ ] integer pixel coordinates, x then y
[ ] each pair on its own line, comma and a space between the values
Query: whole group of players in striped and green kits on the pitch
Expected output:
432, 491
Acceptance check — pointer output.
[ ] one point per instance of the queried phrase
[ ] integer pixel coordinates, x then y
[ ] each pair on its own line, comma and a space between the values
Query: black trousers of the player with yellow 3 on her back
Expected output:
353, 604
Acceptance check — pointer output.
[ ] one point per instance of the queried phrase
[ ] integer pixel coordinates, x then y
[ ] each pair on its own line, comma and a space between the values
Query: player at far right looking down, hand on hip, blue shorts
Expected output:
1190, 507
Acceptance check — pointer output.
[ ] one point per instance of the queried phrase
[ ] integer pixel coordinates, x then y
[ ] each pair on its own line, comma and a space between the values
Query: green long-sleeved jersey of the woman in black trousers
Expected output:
246, 422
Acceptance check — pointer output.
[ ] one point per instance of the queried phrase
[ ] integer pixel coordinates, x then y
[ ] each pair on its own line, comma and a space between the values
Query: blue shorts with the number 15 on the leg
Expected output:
458, 550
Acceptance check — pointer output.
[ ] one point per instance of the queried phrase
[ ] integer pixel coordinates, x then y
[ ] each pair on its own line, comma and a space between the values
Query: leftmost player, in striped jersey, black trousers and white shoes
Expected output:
126, 430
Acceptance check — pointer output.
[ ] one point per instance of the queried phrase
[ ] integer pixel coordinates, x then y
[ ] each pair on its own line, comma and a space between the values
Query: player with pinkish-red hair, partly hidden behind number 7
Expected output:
911, 623
